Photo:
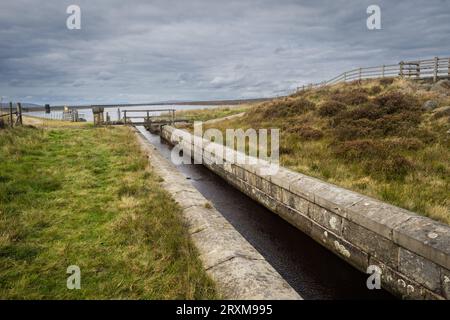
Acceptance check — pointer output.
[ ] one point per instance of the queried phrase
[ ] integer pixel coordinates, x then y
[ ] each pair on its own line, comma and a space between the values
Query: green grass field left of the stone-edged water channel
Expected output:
86, 197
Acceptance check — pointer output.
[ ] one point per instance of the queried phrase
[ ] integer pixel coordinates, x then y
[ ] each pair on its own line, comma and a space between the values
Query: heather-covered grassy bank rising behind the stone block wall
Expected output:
373, 137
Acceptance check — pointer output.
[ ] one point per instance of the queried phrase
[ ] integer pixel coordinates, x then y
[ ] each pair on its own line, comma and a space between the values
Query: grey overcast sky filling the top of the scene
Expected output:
142, 51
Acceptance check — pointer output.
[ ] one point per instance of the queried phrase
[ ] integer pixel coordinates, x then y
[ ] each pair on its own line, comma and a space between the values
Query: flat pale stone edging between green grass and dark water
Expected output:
239, 271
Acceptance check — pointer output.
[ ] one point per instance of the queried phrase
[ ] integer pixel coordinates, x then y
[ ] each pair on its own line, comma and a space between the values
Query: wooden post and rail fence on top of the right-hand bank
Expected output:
435, 69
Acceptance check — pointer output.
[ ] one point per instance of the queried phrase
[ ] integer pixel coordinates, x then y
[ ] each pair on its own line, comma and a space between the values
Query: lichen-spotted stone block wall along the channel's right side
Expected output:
412, 251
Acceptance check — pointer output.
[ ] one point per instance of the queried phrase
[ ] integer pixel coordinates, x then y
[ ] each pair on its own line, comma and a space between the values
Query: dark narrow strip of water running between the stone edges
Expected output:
313, 271
